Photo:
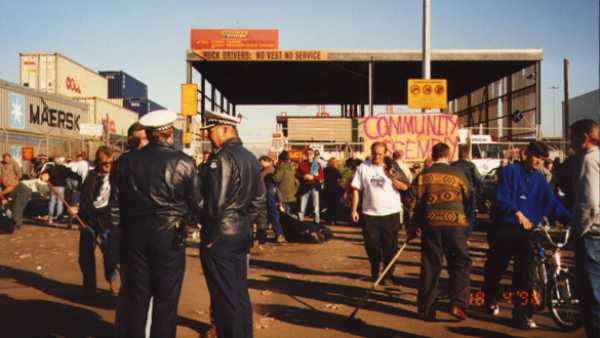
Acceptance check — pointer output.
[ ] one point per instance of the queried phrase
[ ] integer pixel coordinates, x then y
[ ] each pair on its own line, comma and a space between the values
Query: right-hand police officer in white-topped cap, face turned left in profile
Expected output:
234, 197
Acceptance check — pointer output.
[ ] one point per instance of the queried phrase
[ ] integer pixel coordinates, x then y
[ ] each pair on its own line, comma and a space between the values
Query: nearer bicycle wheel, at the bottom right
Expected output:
563, 302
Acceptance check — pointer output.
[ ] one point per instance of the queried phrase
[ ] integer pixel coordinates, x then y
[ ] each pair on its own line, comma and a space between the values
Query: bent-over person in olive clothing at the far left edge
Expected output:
21, 195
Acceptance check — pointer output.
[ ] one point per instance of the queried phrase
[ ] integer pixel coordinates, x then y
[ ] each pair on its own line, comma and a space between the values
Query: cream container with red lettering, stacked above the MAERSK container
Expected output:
56, 74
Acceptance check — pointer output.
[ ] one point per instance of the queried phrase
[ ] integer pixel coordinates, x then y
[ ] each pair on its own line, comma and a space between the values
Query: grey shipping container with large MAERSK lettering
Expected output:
47, 123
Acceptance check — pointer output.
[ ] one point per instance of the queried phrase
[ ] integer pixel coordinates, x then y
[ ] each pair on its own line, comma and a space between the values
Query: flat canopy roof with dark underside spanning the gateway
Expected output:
342, 77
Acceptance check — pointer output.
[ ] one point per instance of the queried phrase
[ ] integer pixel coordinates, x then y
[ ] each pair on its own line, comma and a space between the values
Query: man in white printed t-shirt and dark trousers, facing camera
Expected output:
381, 207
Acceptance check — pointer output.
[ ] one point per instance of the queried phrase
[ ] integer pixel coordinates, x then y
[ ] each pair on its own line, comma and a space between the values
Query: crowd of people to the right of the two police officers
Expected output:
438, 201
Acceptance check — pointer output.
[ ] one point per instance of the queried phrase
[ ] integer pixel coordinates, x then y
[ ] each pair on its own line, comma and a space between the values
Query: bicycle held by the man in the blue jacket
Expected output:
555, 283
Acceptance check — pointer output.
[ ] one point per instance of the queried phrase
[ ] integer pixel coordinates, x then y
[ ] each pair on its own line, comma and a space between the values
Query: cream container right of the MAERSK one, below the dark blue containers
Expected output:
114, 117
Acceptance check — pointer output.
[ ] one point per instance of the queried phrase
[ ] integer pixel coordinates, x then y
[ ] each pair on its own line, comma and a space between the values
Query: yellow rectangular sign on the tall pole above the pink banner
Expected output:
427, 94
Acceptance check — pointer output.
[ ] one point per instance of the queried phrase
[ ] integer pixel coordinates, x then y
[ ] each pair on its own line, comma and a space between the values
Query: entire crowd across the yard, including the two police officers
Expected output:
137, 214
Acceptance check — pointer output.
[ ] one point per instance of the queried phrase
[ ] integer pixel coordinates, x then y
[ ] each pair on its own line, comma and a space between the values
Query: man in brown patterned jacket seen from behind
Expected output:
438, 198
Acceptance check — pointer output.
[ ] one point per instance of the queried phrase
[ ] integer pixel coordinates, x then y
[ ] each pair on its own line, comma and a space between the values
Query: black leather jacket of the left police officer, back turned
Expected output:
156, 182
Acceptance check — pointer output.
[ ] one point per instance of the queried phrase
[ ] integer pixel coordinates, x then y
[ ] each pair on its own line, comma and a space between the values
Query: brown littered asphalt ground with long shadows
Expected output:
297, 290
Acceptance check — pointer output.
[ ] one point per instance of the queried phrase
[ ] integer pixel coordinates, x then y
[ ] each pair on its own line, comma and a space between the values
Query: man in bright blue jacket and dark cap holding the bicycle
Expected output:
523, 198
